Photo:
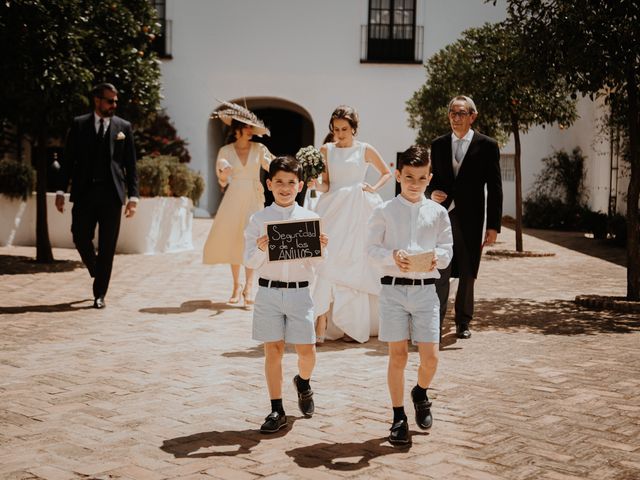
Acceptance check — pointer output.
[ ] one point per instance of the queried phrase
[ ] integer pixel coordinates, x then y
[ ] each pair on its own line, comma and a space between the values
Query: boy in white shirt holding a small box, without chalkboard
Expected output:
410, 238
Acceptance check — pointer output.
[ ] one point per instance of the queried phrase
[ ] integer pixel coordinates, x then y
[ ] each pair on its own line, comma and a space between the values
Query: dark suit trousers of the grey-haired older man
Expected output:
464, 294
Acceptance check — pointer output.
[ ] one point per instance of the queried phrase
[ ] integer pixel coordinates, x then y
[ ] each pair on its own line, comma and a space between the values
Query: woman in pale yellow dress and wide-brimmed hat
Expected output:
238, 168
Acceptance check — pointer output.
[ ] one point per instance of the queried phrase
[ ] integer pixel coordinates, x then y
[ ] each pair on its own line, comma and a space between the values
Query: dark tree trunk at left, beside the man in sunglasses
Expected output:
43, 245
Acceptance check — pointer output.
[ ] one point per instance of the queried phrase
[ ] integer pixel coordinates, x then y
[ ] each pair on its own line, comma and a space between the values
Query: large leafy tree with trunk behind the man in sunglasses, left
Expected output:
52, 52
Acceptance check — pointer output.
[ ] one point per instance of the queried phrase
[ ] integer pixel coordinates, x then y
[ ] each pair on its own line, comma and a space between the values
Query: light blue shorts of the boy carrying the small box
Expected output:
409, 312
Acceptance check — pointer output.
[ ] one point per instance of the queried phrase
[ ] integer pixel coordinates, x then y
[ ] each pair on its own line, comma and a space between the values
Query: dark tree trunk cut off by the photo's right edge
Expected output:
633, 194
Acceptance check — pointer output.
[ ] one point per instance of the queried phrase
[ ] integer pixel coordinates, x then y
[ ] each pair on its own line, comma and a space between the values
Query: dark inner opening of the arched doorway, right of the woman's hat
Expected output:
290, 131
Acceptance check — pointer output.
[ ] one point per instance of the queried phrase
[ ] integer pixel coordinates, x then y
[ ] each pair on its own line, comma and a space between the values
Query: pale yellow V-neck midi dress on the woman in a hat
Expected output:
244, 197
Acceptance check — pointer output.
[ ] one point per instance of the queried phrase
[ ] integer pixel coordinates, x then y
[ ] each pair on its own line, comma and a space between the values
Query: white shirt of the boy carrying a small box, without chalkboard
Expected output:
399, 224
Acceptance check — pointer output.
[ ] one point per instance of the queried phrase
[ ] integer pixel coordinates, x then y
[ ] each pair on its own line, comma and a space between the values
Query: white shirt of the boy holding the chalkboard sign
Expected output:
286, 271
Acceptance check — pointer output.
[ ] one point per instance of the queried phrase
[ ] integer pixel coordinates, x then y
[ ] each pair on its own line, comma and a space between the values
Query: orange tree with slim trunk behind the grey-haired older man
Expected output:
488, 65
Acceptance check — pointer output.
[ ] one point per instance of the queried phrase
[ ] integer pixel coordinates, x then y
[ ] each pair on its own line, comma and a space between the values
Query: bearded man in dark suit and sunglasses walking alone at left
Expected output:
100, 161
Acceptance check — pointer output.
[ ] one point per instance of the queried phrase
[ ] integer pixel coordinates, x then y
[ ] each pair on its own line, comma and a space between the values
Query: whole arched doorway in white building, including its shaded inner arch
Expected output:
291, 128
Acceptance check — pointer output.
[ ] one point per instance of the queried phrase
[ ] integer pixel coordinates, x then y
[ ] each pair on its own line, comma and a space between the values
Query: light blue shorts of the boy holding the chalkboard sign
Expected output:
284, 314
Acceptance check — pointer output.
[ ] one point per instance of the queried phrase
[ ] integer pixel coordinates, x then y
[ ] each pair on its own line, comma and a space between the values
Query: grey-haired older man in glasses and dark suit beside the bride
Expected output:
464, 163
